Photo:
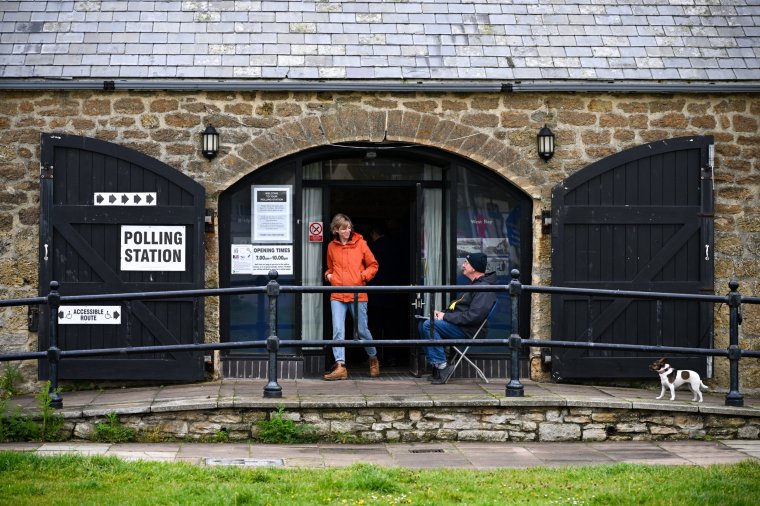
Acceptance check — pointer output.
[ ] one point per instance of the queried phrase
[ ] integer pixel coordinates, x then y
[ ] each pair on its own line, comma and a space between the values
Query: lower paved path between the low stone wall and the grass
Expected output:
418, 455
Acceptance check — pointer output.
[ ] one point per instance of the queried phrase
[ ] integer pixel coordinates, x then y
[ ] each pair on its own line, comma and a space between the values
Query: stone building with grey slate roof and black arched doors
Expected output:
418, 117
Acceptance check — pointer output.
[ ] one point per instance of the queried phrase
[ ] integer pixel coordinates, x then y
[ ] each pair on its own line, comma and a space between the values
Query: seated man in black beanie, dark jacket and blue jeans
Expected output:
463, 317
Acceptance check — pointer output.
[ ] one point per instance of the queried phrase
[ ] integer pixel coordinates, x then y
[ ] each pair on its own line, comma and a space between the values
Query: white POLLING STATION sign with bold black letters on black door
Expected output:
152, 248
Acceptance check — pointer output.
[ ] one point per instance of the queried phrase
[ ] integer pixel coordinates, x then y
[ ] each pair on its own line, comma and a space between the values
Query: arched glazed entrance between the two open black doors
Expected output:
433, 207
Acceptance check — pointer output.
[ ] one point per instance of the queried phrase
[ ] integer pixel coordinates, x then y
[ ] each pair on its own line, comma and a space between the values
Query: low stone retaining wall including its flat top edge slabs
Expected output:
446, 420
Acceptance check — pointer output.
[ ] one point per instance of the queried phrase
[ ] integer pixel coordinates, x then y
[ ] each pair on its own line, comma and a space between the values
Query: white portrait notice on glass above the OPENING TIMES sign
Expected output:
271, 214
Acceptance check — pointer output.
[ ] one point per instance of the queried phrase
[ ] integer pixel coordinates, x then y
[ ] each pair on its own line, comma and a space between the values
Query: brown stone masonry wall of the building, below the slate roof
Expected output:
496, 130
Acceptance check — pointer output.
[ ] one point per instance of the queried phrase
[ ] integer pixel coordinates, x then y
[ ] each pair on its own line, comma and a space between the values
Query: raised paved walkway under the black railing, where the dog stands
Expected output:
394, 392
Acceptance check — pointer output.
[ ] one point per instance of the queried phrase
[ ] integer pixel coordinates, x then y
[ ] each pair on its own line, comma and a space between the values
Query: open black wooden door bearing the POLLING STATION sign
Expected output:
114, 220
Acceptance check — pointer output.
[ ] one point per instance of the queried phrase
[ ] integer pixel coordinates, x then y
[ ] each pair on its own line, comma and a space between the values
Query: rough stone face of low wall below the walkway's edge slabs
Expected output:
376, 425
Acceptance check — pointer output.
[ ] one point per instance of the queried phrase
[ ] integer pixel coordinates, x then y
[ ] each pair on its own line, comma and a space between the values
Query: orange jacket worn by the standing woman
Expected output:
351, 264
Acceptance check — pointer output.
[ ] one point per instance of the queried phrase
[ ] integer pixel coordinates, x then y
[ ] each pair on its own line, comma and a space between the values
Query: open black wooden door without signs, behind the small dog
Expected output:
637, 220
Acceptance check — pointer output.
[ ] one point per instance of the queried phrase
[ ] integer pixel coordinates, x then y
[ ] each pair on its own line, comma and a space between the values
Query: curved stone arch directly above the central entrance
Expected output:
353, 124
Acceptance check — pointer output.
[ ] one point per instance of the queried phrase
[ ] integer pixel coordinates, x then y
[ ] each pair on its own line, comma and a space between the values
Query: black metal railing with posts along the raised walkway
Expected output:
272, 343
